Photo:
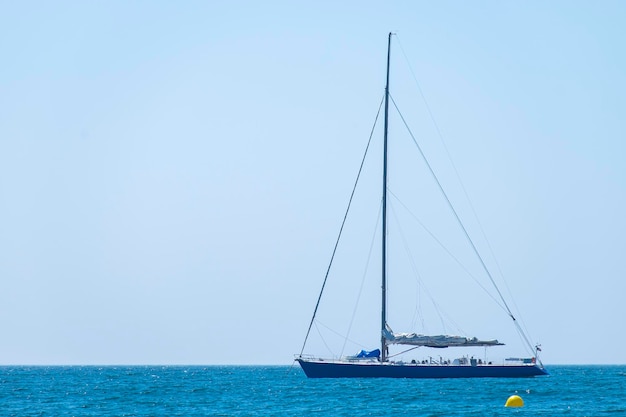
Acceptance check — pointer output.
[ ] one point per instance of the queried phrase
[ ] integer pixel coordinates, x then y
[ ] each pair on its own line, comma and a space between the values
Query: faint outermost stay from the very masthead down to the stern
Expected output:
458, 177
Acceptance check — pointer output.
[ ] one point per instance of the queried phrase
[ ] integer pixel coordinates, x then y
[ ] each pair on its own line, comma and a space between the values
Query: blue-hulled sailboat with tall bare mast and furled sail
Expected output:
378, 364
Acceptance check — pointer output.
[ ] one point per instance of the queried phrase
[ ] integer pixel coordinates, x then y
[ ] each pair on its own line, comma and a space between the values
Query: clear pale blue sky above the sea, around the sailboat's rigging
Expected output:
173, 174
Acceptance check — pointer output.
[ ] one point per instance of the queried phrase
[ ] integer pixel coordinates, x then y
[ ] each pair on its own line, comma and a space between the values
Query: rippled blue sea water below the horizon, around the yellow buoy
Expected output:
283, 390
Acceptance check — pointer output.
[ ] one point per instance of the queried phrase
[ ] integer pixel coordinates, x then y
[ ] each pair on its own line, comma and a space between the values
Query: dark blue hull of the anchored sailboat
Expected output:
324, 369
